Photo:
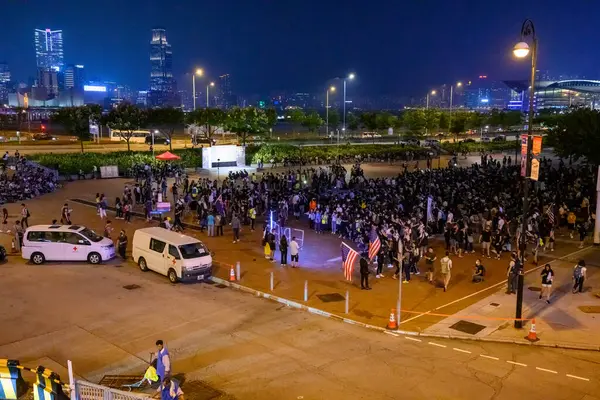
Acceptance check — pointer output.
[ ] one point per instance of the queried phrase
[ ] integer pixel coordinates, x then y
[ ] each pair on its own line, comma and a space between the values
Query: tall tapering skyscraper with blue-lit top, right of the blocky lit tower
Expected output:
163, 89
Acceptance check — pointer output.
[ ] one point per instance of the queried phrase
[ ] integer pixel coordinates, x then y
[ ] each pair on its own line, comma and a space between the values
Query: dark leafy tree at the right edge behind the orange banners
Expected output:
577, 134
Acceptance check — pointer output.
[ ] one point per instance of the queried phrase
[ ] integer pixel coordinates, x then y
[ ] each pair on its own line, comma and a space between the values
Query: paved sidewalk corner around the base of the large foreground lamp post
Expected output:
570, 320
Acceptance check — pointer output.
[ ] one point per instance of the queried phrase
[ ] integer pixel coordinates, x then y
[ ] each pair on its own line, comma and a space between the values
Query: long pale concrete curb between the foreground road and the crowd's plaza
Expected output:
312, 310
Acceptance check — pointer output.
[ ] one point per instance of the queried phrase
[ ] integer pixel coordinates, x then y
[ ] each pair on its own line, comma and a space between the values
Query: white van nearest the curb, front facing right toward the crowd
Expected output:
177, 256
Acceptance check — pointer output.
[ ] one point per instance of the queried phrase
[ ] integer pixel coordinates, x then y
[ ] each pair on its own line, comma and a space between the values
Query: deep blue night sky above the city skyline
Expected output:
394, 47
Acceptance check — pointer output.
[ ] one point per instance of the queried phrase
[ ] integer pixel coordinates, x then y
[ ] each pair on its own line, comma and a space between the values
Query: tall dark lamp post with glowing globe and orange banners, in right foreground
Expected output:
521, 50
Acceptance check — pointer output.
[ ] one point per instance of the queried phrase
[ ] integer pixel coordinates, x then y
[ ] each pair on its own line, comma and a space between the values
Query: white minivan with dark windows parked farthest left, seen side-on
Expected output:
65, 243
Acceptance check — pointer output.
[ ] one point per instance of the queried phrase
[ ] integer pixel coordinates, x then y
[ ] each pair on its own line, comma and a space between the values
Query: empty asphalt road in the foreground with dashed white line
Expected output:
252, 348
